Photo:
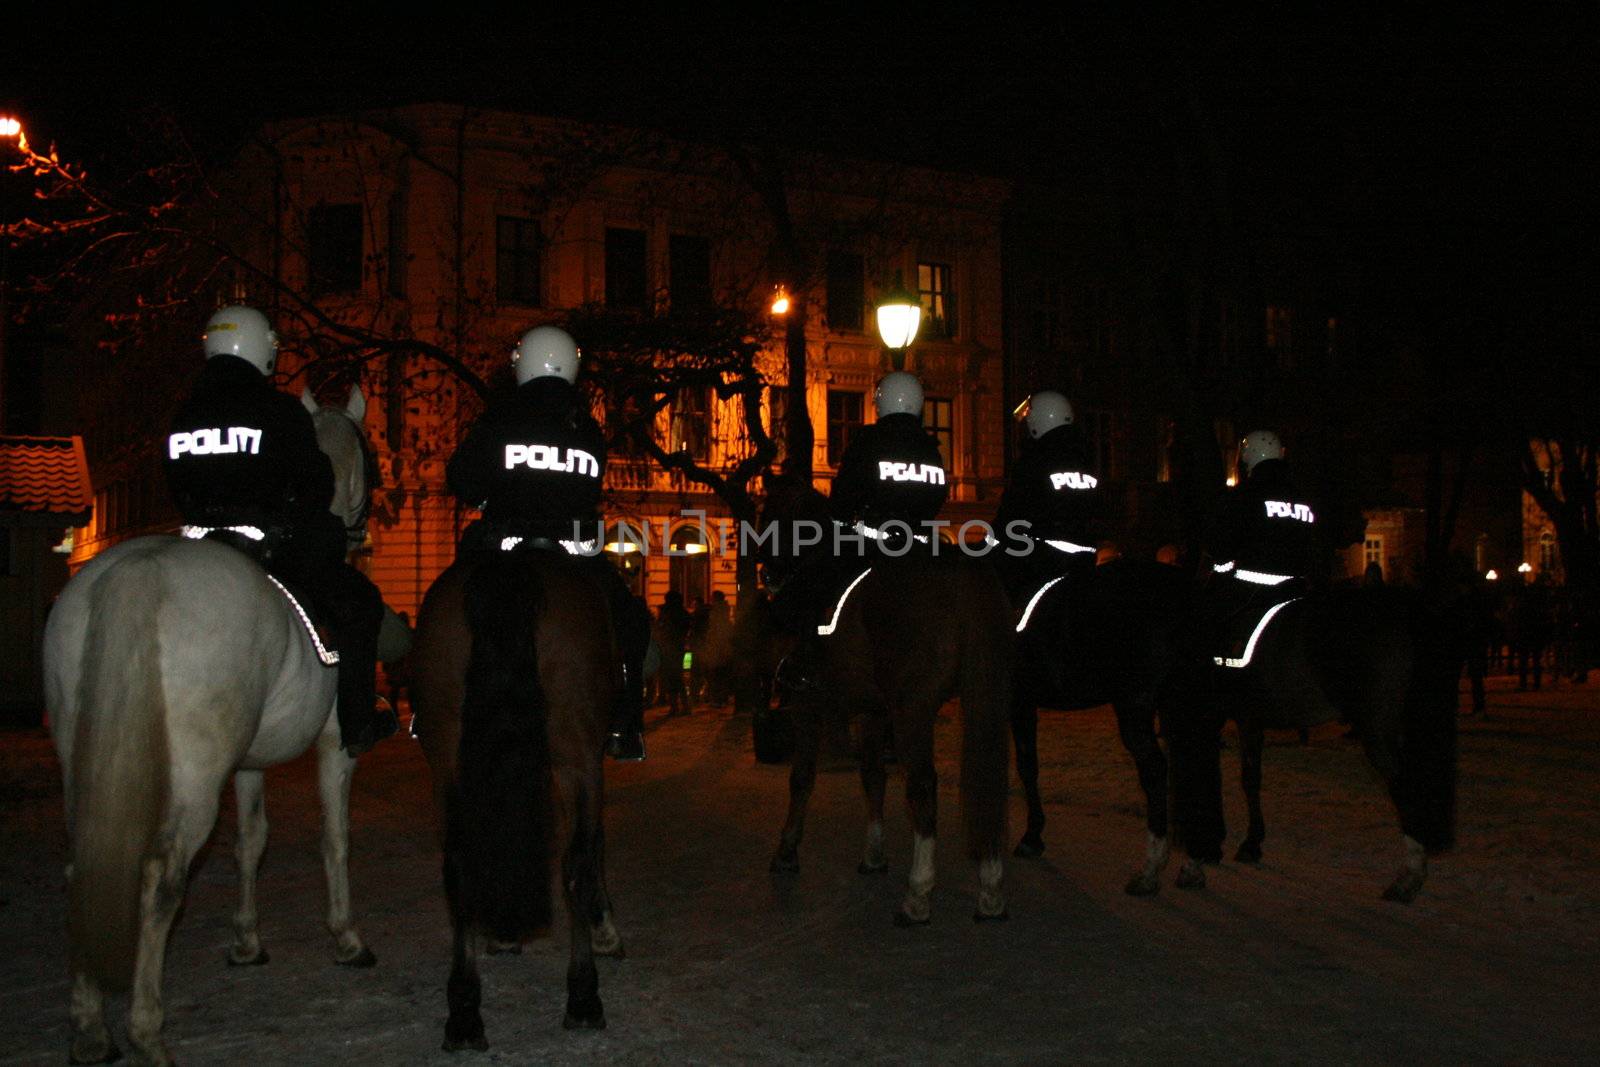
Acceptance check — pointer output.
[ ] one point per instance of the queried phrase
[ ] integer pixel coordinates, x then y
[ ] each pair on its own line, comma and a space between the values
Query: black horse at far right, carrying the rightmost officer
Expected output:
1382, 660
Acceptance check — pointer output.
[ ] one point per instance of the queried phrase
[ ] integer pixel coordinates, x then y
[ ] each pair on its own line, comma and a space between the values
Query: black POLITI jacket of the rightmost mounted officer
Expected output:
1268, 526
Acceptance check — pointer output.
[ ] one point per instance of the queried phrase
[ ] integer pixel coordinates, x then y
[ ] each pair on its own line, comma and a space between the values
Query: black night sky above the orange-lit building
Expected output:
1450, 154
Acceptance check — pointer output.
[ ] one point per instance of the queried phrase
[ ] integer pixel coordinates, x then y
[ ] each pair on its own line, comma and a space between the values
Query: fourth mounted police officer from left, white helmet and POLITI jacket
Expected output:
1055, 489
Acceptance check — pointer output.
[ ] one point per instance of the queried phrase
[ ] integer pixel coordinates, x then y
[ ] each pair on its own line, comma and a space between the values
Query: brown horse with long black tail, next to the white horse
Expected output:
516, 673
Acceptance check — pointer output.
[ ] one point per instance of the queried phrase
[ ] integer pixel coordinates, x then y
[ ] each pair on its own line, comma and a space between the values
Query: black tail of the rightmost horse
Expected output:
1426, 785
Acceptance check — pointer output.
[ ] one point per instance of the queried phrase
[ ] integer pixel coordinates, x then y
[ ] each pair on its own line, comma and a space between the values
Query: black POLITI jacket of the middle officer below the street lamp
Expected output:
892, 471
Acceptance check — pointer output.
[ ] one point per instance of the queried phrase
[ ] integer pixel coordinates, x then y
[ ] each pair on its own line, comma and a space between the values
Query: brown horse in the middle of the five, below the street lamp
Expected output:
911, 634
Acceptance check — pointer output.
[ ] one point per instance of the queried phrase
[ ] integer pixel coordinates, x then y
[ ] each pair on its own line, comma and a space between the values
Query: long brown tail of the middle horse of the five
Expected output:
986, 719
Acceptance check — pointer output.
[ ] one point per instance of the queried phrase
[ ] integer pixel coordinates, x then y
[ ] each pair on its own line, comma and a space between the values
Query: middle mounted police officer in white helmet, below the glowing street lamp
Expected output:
890, 487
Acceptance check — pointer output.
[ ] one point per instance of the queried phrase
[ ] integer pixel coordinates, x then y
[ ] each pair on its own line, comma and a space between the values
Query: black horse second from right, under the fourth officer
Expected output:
1100, 637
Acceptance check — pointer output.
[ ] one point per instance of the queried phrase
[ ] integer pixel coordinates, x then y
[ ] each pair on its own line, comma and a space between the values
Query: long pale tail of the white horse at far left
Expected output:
121, 775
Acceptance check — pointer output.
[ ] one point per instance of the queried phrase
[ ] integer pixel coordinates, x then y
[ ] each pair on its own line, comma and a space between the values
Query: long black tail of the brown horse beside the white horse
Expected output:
500, 818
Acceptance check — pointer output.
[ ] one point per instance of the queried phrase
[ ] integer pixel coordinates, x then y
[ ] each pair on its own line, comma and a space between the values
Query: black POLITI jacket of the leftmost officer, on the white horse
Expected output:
244, 454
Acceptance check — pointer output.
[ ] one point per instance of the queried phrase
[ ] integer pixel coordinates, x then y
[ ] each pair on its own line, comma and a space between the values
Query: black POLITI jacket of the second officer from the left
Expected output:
535, 458
